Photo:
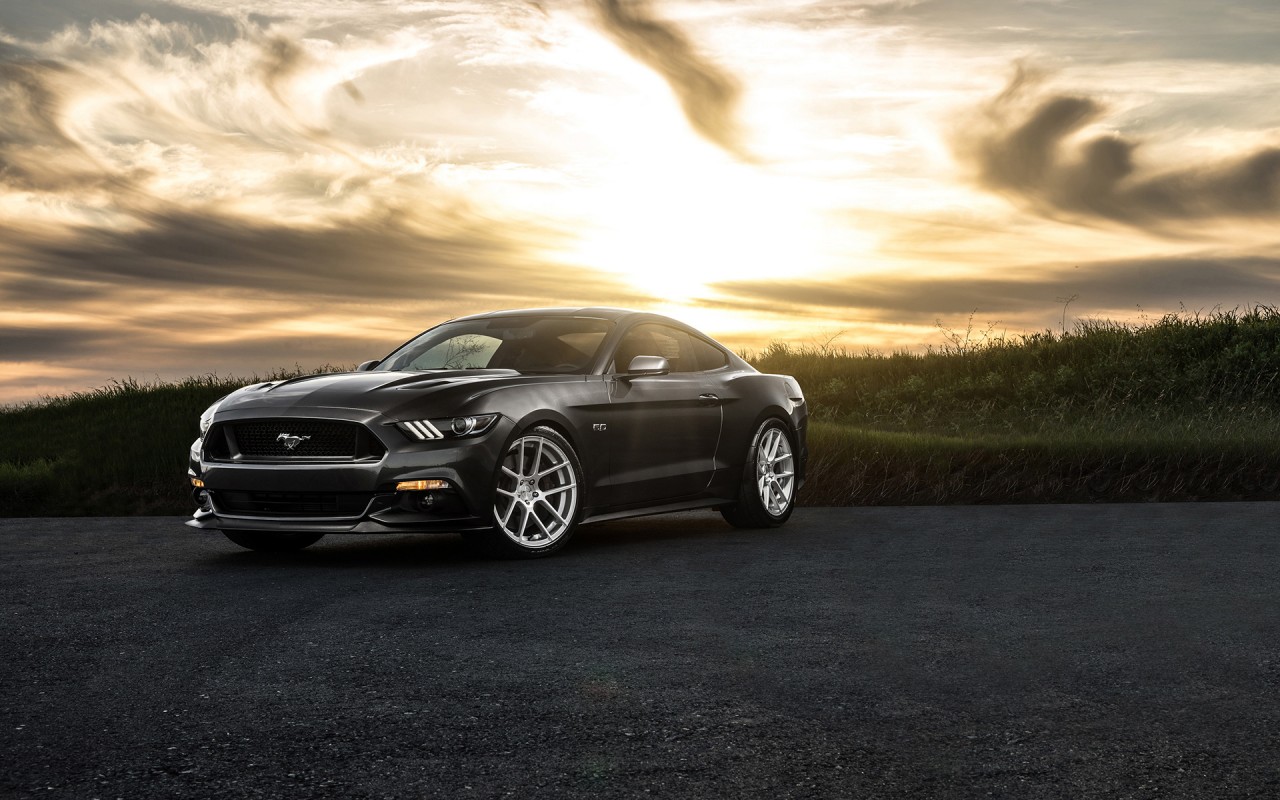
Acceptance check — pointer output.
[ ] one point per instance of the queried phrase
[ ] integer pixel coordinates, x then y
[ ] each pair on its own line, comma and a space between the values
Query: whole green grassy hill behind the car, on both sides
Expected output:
1187, 408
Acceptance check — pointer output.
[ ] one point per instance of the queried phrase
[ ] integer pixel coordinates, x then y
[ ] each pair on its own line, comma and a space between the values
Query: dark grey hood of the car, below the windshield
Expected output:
381, 392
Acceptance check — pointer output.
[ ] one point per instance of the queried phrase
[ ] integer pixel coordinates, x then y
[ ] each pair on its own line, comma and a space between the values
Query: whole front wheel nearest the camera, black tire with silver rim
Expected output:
538, 497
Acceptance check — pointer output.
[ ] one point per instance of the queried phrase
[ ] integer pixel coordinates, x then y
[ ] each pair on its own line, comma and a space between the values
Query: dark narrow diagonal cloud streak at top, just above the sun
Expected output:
707, 93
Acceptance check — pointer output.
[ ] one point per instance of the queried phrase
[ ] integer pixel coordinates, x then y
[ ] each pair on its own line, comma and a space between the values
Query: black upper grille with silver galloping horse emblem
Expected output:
292, 440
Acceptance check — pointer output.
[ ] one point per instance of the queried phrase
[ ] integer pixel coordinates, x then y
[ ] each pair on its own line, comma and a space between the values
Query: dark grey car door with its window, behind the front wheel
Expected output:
662, 429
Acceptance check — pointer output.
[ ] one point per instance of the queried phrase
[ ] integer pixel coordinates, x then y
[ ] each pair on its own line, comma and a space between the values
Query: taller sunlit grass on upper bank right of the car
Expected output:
1222, 369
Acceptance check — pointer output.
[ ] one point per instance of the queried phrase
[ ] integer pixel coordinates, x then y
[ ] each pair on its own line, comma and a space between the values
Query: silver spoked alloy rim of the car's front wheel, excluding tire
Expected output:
537, 493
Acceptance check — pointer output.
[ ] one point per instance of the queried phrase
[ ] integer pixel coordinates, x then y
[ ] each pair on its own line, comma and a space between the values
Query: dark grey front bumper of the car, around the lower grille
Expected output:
355, 497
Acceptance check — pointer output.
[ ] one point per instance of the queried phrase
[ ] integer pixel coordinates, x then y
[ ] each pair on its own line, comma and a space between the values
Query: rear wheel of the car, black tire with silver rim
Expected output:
767, 493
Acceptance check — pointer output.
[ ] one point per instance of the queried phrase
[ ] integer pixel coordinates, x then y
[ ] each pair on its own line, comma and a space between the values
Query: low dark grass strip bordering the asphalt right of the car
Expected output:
856, 467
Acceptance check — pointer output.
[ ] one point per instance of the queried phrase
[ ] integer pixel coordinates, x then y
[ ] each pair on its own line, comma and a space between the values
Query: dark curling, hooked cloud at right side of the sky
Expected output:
1036, 148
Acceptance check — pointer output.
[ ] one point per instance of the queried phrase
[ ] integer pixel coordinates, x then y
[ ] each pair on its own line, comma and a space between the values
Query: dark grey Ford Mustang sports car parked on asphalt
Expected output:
511, 428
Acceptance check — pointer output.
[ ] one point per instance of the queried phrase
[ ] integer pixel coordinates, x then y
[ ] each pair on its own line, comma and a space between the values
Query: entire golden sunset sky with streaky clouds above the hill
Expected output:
218, 186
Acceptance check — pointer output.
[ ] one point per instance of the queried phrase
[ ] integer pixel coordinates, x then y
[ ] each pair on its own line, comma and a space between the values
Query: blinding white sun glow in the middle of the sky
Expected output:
665, 211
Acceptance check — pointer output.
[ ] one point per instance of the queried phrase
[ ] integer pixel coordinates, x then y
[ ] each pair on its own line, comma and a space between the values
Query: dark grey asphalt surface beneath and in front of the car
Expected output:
1020, 652
